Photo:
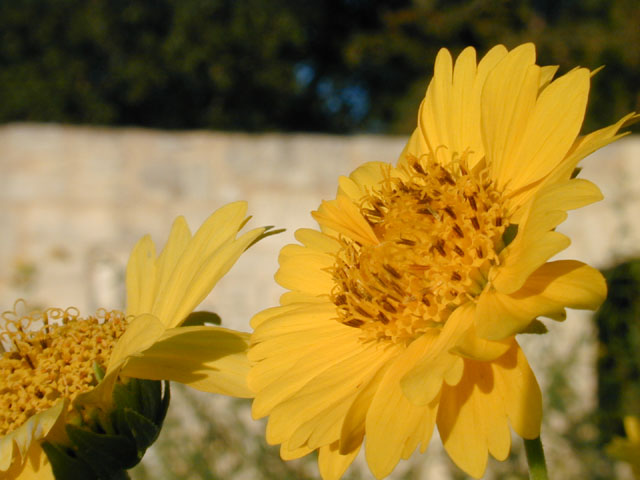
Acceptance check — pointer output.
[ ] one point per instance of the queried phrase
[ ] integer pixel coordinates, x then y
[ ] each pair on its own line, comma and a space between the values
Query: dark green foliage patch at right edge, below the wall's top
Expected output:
619, 358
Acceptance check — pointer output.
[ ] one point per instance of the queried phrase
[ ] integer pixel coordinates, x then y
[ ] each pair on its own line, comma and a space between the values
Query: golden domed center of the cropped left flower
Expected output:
51, 356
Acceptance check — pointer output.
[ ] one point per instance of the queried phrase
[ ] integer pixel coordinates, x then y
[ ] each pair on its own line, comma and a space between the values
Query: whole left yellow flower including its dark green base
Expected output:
55, 392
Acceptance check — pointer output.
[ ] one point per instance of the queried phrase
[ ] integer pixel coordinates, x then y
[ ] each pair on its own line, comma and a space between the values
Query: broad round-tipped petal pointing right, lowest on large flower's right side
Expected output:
551, 288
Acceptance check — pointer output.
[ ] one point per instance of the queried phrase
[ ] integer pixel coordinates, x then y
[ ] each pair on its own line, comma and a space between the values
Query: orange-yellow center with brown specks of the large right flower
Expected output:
440, 230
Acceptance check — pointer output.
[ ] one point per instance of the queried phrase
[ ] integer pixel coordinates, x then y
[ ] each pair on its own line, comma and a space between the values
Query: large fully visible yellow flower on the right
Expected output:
402, 311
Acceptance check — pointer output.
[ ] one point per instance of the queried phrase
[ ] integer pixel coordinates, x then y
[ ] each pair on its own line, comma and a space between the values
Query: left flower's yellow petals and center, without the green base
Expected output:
51, 356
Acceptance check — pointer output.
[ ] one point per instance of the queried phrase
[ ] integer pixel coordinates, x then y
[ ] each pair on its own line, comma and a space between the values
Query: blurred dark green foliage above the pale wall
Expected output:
333, 66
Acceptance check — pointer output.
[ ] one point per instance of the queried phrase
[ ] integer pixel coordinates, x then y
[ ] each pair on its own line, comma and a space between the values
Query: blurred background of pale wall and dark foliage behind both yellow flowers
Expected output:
116, 116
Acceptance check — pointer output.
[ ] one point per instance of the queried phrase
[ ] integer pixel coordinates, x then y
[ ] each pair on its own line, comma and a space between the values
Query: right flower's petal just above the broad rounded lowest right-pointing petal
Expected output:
536, 241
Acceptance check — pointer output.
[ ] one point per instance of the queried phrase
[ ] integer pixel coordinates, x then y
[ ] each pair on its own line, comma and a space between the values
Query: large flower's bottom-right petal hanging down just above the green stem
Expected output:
520, 391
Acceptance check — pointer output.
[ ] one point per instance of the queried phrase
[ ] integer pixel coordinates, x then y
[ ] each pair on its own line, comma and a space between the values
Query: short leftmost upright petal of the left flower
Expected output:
141, 277
